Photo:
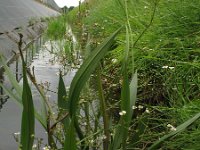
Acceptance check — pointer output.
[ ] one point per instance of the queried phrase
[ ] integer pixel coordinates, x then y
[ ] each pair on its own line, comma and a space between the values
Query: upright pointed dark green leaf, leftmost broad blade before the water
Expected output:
28, 119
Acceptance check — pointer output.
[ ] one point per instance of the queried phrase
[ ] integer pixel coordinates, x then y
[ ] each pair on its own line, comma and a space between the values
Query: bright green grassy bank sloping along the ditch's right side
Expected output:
166, 58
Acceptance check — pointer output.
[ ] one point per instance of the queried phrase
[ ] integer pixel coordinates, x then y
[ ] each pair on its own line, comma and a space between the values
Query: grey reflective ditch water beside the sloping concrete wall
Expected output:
46, 68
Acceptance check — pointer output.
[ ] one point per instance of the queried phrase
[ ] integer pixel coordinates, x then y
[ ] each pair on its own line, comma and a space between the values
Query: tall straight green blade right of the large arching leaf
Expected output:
122, 129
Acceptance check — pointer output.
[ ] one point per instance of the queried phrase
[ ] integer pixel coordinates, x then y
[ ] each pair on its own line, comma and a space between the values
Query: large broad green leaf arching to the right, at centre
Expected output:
85, 71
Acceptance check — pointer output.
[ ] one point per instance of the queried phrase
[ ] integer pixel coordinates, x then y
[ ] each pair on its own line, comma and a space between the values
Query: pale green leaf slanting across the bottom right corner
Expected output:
179, 129
